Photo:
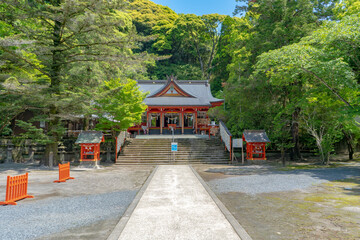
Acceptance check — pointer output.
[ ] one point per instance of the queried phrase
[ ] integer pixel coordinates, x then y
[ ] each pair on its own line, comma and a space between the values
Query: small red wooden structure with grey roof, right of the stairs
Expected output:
255, 144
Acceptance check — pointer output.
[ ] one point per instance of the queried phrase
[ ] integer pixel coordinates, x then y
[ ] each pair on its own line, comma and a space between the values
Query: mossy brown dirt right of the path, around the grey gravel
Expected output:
328, 210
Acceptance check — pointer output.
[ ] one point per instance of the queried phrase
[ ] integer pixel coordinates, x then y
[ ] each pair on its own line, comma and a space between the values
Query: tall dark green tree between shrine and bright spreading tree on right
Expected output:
265, 26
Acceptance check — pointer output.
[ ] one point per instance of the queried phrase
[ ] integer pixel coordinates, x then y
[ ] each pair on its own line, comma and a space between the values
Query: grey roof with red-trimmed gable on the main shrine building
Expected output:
174, 92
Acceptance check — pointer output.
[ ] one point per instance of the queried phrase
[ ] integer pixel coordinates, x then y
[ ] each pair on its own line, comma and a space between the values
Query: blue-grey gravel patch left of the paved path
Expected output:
54, 215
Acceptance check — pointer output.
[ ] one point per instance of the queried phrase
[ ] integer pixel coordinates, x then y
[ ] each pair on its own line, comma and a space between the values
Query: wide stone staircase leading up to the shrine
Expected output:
158, 151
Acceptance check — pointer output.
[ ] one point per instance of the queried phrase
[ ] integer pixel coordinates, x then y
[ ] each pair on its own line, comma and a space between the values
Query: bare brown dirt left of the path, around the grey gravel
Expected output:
110, 178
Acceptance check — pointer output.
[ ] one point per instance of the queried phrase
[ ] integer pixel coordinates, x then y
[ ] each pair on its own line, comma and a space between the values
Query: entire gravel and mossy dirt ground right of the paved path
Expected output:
299, 204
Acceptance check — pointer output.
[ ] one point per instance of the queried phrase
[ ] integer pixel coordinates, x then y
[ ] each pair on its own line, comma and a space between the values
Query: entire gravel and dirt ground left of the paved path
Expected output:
87, 207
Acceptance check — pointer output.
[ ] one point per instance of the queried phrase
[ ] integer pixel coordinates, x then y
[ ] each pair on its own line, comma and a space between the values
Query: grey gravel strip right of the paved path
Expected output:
277, 181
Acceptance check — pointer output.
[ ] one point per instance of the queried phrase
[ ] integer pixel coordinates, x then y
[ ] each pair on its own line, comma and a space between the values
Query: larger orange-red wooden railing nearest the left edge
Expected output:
16, 189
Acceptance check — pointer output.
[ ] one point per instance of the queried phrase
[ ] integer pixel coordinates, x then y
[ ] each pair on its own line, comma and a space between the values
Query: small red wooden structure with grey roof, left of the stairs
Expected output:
90, 146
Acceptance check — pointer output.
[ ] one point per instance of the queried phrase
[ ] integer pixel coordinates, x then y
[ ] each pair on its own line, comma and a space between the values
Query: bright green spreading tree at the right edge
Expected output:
324, 65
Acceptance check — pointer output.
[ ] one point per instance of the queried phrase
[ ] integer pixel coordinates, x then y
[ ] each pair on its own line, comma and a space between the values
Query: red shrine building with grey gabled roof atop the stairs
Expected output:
180, 104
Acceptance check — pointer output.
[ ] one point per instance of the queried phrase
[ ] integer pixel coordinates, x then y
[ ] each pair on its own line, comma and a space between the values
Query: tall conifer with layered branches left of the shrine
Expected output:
92, 38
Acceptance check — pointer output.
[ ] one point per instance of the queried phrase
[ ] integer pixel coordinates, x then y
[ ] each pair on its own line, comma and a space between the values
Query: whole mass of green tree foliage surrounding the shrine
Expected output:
283, 66
